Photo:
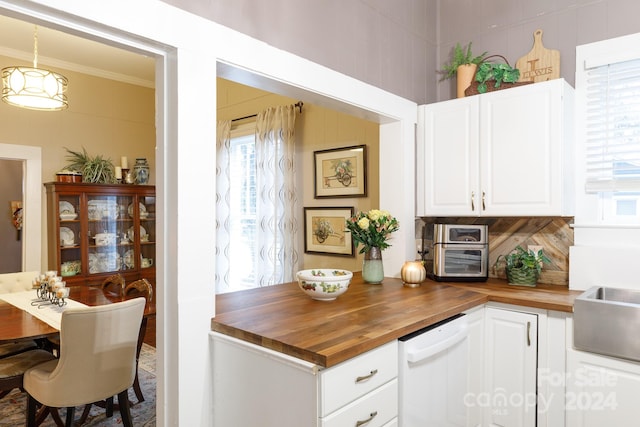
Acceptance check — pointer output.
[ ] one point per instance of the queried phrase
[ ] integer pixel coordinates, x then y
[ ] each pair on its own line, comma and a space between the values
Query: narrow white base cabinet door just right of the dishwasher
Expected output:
511, 351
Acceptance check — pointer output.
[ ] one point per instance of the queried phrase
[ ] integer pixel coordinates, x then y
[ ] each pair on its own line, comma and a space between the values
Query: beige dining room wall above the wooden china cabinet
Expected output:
104, 116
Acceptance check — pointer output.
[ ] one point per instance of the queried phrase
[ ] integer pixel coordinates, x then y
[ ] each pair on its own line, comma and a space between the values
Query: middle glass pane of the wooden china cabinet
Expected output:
111, 235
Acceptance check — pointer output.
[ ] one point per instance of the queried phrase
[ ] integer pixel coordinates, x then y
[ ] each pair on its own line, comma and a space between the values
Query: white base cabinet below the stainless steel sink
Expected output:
600, 390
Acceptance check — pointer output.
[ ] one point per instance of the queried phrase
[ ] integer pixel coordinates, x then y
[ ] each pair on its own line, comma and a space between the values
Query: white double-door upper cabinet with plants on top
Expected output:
504, 153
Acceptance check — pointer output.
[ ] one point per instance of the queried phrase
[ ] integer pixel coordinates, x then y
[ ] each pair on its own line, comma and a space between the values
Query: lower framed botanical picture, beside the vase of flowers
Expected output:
324, 231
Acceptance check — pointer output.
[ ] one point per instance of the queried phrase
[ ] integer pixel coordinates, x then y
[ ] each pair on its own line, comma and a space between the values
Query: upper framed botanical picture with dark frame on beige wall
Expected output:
341, 172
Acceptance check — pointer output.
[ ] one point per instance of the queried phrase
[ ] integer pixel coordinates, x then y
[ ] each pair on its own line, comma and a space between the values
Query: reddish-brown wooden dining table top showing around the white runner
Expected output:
17, 324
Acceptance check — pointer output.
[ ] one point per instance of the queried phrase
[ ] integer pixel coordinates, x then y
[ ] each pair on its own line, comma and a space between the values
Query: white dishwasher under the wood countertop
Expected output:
440, 373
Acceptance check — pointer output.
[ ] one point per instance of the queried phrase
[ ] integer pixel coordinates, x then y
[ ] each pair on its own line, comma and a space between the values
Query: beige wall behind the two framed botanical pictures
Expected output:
317, 128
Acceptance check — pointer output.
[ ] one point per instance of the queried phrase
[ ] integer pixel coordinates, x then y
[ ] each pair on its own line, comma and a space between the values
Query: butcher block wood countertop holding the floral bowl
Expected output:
284, 319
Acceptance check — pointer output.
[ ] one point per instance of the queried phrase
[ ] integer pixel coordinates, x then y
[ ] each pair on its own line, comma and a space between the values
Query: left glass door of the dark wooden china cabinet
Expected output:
69, 211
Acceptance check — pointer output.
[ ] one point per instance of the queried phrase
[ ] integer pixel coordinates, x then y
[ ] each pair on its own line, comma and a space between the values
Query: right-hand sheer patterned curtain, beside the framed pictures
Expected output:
276, 196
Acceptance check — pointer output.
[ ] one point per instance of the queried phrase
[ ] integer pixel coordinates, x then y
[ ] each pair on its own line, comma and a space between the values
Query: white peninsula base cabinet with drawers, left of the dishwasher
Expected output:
255, 386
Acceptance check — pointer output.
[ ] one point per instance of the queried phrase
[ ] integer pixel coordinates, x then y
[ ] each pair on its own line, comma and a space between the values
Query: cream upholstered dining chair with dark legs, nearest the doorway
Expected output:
97, 360
